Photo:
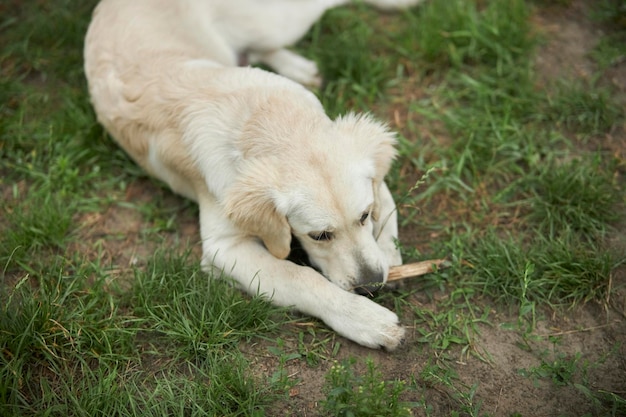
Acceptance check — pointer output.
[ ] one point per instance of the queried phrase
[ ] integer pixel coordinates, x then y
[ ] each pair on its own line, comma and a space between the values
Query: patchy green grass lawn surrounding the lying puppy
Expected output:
517, 180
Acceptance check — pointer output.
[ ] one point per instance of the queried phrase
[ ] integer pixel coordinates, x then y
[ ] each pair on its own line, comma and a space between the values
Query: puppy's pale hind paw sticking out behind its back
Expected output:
290, 65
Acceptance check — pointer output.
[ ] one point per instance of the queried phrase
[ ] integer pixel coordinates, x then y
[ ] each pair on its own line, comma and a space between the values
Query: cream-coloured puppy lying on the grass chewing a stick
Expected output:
254, 149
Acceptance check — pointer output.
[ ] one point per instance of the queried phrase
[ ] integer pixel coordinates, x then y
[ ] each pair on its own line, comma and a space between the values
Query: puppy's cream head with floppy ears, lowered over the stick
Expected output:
324, 190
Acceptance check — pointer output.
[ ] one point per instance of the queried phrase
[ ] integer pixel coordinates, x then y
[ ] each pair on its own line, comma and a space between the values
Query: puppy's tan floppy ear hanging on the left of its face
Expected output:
250, 205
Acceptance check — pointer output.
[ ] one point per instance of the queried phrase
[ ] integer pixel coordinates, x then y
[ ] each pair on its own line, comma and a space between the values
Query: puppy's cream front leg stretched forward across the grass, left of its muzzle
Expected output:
246, 260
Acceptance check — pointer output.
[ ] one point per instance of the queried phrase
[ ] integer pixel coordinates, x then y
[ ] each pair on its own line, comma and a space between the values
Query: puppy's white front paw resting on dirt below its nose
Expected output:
368, 324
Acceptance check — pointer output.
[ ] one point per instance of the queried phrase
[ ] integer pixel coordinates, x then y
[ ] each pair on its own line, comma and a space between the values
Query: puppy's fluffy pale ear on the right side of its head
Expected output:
376, 143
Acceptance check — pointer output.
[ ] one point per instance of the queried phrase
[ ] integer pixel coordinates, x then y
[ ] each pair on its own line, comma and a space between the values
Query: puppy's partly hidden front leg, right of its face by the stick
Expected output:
386, 228
